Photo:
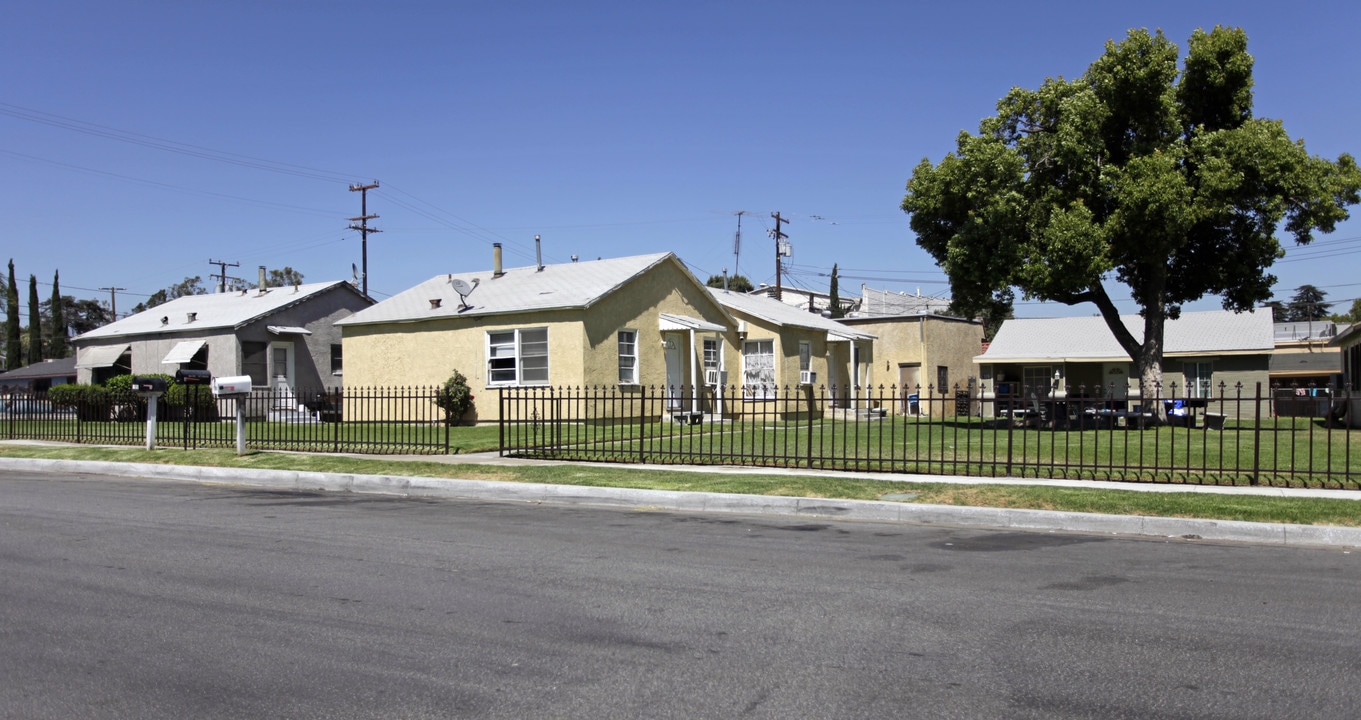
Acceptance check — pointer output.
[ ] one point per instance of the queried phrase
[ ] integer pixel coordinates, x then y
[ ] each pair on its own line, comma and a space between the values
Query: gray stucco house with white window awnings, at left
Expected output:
281, 337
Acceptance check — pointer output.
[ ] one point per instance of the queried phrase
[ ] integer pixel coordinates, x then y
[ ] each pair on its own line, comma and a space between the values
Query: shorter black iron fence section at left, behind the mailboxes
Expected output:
379, 421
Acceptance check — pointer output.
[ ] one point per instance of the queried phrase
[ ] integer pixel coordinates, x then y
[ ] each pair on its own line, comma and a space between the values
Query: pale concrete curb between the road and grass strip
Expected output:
717, 503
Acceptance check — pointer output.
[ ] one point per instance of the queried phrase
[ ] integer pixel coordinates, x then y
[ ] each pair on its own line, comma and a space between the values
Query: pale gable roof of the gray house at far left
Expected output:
218, 311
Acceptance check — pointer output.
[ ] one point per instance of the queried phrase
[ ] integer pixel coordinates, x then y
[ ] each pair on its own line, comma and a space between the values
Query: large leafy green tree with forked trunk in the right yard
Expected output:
1137, 172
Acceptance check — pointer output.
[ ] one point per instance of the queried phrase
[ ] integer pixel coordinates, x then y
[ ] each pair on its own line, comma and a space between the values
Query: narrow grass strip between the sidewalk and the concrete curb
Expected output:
1039, 497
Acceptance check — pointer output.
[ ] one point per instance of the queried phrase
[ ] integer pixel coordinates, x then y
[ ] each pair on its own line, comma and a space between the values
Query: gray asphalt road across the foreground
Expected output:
137, 600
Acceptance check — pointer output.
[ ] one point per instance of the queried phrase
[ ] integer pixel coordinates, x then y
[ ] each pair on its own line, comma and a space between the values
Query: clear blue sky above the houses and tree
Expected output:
142, 140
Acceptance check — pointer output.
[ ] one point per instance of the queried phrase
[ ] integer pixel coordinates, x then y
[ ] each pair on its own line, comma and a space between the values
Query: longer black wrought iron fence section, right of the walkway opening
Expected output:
1228, 438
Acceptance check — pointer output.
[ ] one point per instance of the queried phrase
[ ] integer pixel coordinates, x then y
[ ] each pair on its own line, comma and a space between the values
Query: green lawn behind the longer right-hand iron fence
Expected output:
1287, 453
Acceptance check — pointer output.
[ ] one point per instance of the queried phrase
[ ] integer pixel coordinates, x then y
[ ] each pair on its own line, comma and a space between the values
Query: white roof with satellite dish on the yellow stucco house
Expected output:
519, 291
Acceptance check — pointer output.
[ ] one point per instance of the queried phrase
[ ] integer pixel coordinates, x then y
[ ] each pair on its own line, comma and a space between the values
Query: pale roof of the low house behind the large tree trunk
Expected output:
1091, 340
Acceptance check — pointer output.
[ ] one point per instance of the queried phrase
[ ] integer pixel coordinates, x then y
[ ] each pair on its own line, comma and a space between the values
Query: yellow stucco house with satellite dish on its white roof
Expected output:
635, 323
